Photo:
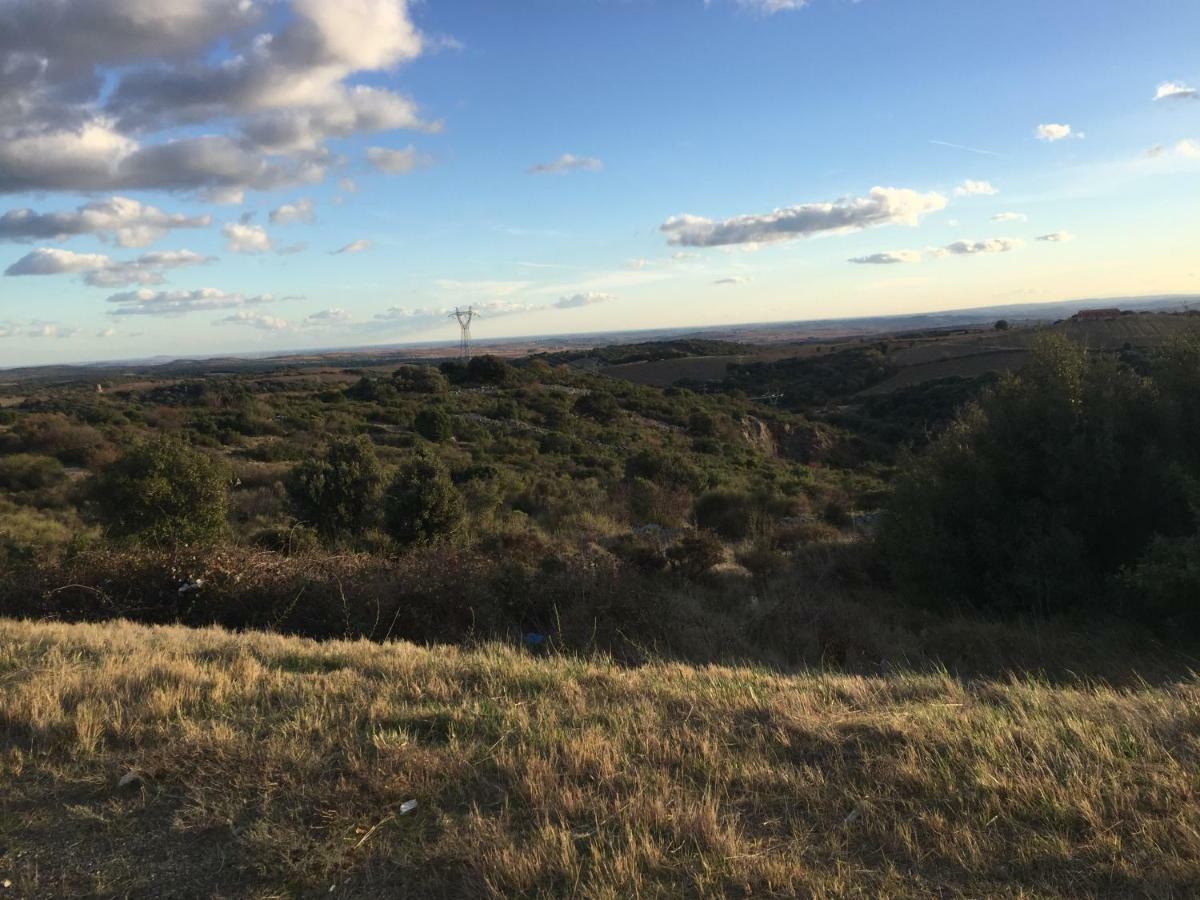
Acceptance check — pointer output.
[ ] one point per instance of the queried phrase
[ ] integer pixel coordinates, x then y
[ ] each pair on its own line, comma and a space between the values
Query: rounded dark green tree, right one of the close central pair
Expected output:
422, 505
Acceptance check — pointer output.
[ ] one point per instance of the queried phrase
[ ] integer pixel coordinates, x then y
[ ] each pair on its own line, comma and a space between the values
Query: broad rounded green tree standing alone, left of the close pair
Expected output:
164, 493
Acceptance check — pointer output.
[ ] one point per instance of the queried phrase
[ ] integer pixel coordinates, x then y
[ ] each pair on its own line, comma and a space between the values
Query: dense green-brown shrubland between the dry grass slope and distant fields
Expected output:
501, 500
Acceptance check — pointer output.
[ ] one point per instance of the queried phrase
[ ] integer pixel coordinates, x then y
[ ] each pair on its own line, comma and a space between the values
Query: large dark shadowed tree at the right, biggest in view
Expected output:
1041, 494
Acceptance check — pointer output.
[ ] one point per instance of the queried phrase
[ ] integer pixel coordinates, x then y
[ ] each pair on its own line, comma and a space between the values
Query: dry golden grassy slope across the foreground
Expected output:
275, 766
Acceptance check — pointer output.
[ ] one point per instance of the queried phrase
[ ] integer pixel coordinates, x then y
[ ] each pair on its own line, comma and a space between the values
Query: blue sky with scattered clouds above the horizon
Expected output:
207, 177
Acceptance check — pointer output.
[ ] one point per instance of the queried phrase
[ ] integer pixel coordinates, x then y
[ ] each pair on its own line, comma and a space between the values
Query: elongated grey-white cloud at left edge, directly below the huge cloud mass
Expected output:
128, 223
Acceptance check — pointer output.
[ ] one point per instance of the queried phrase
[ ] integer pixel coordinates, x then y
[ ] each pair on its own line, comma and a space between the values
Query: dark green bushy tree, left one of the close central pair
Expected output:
338, 489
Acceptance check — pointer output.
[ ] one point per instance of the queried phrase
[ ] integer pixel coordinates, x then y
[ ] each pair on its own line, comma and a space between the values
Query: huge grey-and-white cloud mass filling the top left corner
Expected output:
92, 92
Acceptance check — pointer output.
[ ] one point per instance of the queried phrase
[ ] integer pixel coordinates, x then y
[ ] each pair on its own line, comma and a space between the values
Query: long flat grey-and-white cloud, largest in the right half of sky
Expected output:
884, 206
